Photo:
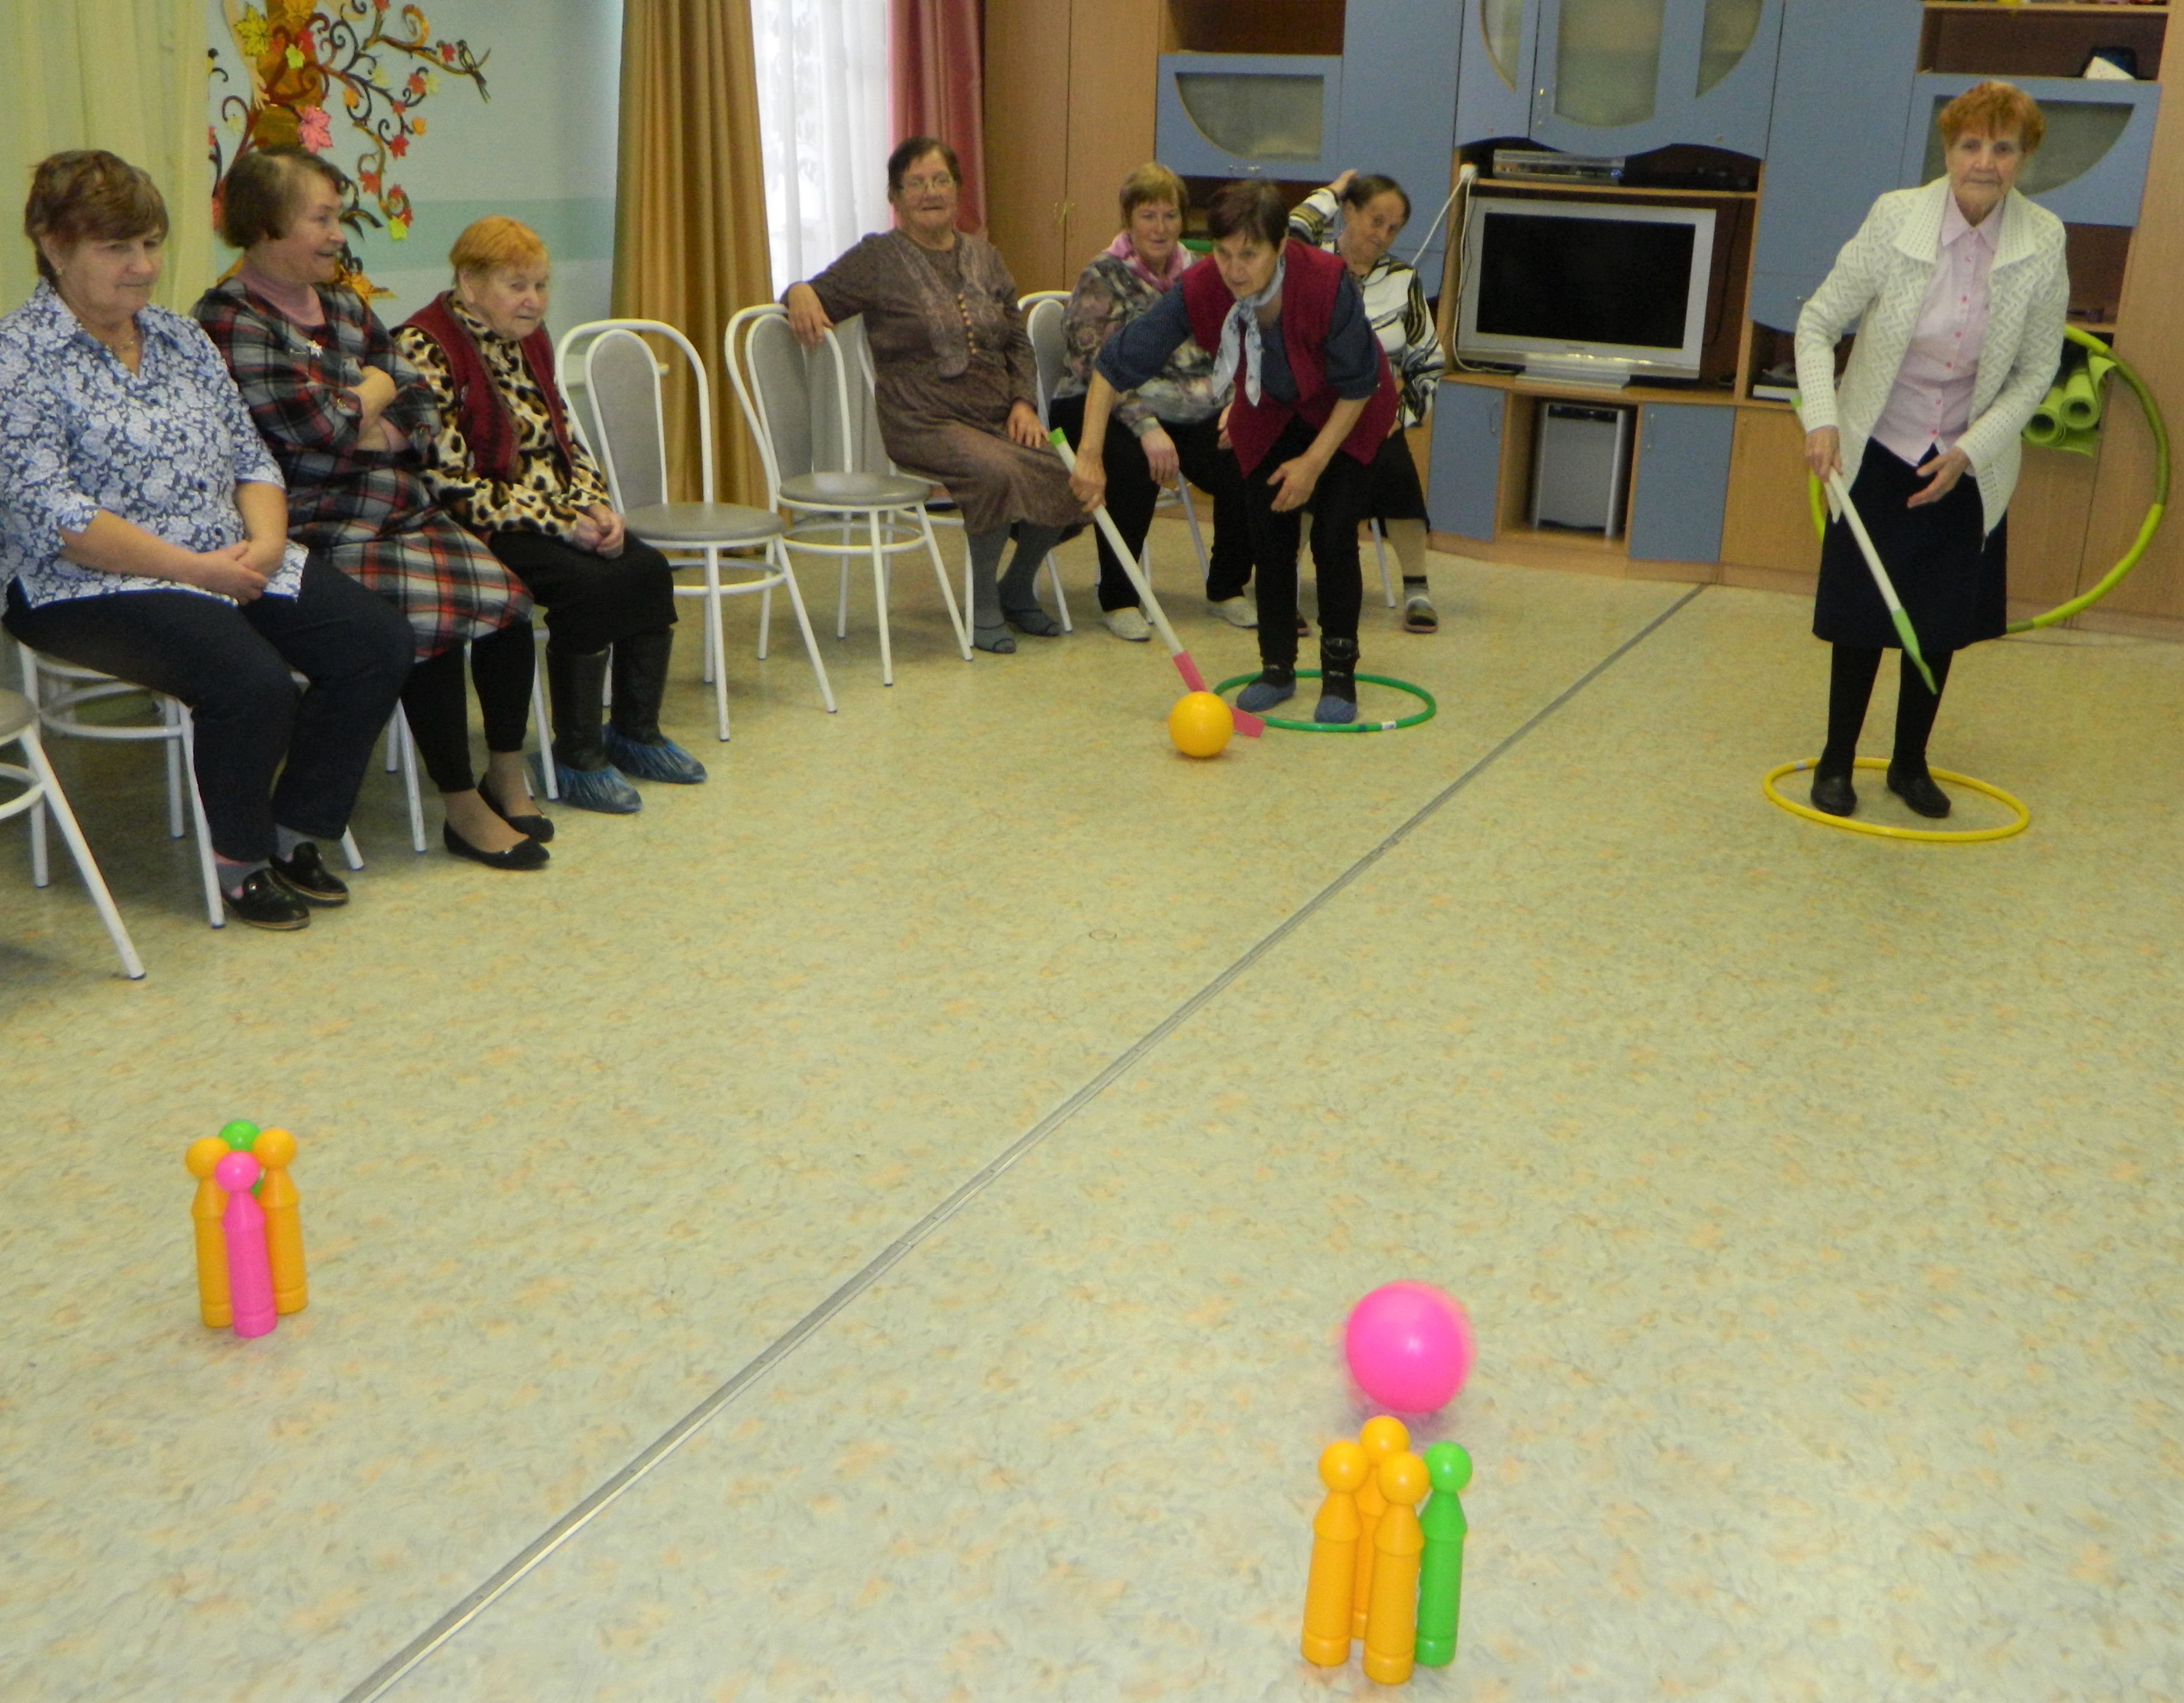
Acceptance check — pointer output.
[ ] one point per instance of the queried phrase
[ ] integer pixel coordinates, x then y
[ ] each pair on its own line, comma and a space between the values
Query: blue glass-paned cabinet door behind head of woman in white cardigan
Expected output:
2093, 165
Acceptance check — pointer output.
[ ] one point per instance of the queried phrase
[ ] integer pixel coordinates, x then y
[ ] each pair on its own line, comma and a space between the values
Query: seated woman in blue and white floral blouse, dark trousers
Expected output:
145, 534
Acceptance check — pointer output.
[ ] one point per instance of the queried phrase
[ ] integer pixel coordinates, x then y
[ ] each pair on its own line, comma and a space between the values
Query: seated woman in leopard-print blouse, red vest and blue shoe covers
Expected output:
508, 466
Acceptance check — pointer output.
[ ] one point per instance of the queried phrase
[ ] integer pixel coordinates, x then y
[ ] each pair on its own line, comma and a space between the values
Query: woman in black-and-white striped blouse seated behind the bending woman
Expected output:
1360, 219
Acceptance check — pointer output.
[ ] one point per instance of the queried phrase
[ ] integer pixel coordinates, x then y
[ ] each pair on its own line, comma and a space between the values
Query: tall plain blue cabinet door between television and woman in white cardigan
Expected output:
1840, 108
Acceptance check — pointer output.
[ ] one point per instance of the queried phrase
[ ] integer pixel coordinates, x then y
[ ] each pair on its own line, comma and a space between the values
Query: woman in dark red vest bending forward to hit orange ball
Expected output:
1314, 403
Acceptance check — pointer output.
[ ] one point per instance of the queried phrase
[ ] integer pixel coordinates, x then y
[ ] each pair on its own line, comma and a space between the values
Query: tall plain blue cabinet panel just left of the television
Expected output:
1399, 110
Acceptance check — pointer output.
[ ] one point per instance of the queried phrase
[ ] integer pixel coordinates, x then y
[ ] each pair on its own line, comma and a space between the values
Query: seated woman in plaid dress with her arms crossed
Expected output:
348, 422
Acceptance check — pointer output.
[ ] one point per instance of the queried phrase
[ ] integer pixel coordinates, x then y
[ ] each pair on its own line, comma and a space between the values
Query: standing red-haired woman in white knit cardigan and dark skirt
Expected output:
1960, 294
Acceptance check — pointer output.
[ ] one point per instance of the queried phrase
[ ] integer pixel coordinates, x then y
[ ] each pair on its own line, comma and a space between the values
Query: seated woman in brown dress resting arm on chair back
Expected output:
955, 381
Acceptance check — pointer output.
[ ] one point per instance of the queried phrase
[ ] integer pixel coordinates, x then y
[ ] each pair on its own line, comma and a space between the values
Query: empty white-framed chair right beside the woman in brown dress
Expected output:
814, 449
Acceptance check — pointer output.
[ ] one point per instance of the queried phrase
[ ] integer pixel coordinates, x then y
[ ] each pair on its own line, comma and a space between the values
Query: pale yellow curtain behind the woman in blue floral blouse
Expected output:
119, 75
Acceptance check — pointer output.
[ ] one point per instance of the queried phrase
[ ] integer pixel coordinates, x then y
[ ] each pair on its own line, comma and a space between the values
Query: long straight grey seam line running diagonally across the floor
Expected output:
390, 1674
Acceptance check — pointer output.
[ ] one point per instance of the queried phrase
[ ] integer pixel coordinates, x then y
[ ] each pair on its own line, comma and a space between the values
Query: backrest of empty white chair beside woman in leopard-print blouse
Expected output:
621, 409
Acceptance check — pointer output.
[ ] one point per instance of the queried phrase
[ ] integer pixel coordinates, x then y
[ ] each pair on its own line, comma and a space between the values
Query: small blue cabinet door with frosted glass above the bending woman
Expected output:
1250, 115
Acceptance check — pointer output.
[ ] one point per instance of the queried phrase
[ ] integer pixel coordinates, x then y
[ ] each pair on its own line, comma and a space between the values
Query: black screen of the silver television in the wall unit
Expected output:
1584, 281
